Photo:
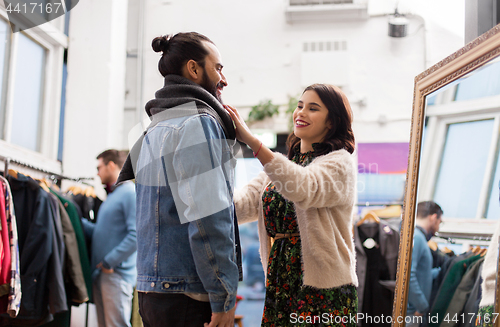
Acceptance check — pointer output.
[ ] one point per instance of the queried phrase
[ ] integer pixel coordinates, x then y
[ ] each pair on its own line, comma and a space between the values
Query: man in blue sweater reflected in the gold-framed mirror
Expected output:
429, 216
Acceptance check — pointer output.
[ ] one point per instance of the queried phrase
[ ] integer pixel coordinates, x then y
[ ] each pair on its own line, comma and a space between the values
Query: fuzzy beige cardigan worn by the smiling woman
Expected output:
323, 193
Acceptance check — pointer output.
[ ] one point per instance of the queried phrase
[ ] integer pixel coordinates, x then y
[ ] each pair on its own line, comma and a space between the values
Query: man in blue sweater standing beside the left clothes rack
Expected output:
113, 244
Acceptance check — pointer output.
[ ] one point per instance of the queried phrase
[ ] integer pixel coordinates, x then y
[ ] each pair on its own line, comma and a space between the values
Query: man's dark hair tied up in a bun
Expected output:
178, 49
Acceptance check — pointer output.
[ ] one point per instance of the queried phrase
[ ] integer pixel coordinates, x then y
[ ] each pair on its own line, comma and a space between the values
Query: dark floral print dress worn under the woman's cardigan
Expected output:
288, 302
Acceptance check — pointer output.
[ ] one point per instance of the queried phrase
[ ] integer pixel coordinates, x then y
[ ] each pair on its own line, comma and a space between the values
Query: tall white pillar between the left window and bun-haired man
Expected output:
95, 85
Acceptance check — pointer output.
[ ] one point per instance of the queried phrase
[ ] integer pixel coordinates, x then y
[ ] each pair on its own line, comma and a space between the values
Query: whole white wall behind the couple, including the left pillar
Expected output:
262, 58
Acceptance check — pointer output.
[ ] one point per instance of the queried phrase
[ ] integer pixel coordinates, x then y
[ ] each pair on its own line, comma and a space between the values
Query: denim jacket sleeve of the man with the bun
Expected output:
203, 173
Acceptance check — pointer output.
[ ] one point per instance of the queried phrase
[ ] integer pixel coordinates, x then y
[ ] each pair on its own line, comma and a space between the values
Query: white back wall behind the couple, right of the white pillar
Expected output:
262, 57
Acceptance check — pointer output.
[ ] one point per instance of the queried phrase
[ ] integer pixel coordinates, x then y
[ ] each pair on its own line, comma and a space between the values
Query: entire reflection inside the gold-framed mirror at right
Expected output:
455, 255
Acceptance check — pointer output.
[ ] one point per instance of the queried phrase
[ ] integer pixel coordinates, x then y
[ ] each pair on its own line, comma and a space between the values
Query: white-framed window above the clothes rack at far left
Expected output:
31, 75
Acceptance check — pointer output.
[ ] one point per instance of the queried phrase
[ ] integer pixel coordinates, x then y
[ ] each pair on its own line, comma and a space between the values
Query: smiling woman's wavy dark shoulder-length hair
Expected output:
340, 136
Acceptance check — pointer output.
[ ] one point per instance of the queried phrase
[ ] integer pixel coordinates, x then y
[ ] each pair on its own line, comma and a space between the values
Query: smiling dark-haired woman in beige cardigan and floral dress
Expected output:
304, 207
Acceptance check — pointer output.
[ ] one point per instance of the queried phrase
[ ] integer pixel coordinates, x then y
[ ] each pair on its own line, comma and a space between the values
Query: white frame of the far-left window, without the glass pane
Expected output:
52, 38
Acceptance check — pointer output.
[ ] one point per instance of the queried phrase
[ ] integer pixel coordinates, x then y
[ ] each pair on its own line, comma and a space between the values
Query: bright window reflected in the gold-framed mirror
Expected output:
460, 167
